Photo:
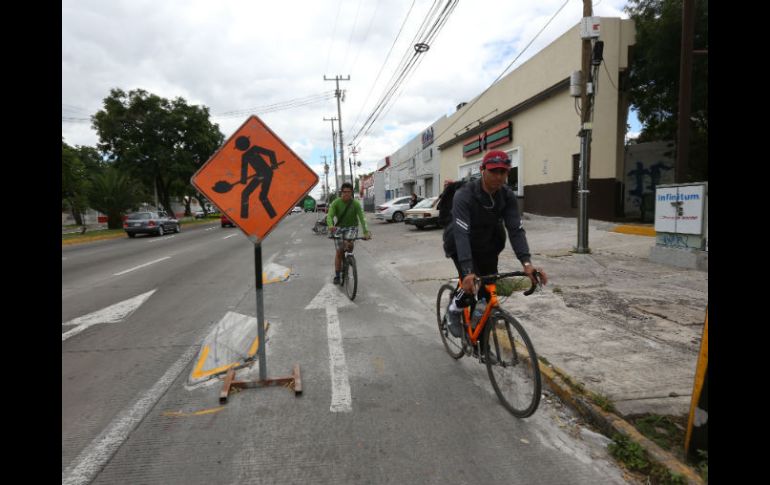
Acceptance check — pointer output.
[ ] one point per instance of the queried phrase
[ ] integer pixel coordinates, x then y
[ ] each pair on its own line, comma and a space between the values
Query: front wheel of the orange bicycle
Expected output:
512, 364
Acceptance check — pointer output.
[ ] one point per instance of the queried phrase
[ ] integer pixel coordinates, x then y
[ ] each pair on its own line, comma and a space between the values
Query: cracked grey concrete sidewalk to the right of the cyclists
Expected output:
611, 322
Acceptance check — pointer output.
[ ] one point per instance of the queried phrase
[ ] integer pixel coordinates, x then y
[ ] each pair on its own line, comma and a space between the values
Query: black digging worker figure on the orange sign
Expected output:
253, 157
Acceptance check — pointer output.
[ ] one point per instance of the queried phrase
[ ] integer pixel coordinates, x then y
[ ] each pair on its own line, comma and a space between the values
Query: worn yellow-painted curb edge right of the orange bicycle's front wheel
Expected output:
610, 423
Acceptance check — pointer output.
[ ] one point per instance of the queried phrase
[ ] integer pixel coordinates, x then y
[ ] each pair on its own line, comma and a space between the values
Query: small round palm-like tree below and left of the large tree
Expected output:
114, 193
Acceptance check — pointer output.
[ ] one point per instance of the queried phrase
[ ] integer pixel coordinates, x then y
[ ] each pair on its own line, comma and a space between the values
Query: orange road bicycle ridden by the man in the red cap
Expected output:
500, 342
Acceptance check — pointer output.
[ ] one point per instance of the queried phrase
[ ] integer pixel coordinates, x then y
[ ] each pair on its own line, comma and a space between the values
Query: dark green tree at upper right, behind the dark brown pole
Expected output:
653, 76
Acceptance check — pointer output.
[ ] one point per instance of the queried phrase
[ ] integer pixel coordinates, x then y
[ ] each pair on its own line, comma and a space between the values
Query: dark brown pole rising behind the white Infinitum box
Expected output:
685, 91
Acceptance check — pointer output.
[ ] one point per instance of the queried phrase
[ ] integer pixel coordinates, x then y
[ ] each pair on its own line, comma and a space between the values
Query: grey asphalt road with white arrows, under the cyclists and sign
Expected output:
413, 415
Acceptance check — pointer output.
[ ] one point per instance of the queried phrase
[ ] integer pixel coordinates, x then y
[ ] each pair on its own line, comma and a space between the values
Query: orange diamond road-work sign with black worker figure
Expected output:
254, 178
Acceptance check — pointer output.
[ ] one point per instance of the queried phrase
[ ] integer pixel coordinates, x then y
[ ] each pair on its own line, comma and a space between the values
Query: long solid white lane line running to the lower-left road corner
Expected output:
91, 460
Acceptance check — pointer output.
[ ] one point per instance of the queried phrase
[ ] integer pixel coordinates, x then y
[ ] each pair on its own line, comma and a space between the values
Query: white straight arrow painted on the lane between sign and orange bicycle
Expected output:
330, 299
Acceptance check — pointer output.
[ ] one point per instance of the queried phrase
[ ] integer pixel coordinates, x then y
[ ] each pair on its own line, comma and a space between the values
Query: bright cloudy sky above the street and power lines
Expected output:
269, 58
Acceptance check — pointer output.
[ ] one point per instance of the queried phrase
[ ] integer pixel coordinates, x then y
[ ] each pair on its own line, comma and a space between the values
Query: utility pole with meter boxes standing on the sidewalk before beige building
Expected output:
585, 137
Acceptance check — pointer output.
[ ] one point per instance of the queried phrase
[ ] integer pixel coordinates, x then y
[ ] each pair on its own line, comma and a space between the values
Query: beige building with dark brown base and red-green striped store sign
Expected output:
531, 115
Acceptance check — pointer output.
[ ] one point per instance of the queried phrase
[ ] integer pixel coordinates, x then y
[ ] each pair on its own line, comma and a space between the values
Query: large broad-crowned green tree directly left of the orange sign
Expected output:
157, 141
